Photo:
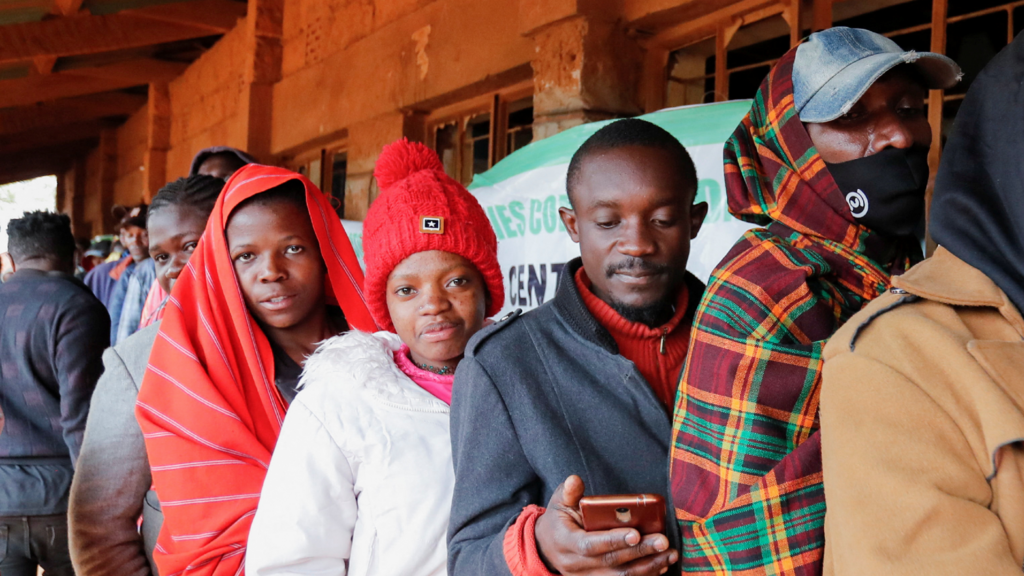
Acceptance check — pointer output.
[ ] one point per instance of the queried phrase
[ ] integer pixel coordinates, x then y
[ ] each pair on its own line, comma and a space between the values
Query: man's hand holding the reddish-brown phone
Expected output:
570, 550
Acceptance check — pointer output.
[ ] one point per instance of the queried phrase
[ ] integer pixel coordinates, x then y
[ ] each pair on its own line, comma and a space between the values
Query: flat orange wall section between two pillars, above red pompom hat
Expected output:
335, 75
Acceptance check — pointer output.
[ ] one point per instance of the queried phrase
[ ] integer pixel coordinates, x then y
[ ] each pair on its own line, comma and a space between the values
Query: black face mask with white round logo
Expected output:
886, 191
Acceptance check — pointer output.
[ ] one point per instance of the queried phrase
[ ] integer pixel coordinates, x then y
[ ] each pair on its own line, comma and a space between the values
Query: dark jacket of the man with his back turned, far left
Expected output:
53, 336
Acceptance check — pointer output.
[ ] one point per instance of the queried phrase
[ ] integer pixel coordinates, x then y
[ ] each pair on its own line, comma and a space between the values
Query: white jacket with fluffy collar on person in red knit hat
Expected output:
361, 481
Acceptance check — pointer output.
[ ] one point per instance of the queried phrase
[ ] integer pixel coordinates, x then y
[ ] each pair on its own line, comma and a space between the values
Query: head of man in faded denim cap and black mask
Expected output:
862, 99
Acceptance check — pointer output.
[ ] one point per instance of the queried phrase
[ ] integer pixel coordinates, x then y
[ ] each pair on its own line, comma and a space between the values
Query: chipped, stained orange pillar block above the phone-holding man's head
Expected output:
585, 69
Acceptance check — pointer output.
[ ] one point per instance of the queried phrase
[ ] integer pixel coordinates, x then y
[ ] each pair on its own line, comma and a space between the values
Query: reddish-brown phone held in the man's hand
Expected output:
644, 512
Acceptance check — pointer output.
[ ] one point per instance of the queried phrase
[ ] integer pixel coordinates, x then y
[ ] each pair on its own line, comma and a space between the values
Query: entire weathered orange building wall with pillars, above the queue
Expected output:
297, 75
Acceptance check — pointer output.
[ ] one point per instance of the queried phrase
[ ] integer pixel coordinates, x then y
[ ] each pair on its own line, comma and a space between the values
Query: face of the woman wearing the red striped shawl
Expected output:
278, 263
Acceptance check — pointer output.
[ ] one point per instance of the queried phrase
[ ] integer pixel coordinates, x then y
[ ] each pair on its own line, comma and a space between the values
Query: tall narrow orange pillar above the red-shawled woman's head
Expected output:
264, 25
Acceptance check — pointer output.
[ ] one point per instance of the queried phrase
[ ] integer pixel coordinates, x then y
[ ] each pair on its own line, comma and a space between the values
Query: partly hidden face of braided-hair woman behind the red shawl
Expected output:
175, 233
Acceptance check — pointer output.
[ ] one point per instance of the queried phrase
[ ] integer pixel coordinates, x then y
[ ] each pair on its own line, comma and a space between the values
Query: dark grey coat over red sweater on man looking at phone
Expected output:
539, 398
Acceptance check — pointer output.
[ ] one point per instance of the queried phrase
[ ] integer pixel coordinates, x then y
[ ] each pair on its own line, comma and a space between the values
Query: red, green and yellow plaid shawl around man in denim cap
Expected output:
746, 457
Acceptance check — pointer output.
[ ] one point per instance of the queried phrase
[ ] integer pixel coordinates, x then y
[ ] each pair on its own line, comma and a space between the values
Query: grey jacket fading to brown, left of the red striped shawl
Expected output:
112, 483
